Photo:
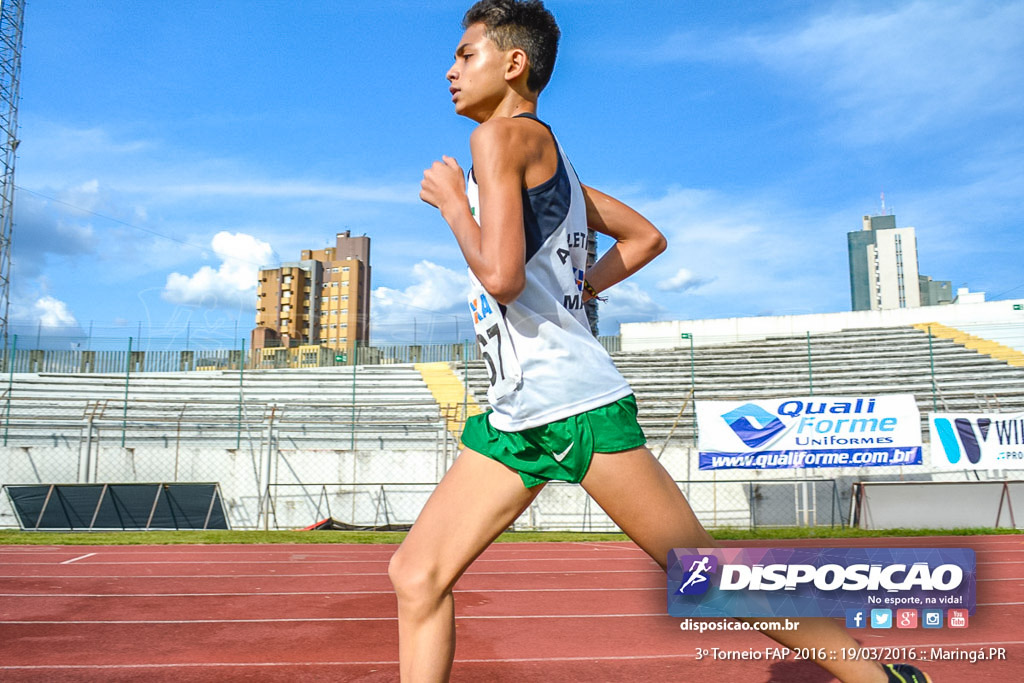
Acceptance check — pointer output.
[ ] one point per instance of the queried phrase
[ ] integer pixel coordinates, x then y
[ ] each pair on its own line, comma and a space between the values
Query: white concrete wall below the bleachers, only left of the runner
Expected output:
302, 480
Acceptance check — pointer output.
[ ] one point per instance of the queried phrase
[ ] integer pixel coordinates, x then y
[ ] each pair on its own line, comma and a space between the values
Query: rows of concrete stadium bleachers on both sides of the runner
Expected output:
393, 406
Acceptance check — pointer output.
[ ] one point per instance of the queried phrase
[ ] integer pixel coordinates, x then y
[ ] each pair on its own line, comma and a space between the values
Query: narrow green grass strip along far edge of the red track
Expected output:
17, 537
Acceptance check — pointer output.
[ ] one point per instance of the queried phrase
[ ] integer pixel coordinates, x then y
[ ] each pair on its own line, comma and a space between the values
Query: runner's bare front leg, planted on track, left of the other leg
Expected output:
478, 500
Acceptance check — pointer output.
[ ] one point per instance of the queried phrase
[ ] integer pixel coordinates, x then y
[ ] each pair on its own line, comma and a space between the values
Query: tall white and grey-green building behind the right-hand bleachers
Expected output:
884, 269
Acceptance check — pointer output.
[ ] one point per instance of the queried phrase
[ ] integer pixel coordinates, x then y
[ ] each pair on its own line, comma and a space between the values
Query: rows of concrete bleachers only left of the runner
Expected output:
391, 408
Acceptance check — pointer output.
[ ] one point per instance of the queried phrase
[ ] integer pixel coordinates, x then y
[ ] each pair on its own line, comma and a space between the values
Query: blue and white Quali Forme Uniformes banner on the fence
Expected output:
814, 432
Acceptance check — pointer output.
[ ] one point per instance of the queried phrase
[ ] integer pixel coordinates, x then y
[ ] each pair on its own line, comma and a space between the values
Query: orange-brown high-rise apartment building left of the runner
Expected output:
324, 298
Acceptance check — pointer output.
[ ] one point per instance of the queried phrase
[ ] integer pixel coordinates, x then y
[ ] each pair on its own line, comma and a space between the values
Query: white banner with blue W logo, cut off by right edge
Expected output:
979, 442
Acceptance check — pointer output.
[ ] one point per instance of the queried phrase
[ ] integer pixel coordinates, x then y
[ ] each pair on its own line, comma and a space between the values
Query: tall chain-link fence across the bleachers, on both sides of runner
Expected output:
296, 437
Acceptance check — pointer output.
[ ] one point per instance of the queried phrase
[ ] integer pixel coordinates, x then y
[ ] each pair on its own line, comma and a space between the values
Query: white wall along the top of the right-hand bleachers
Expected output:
649, 336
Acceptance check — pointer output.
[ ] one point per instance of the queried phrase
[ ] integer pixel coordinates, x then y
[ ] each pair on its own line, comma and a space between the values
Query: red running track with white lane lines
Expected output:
592, 613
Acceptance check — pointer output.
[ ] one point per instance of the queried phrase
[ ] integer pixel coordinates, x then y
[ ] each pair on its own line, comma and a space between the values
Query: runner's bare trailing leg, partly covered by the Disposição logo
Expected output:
641, 496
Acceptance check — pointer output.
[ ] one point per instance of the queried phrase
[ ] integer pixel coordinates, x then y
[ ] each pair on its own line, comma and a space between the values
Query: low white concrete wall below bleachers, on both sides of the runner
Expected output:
316, 491
